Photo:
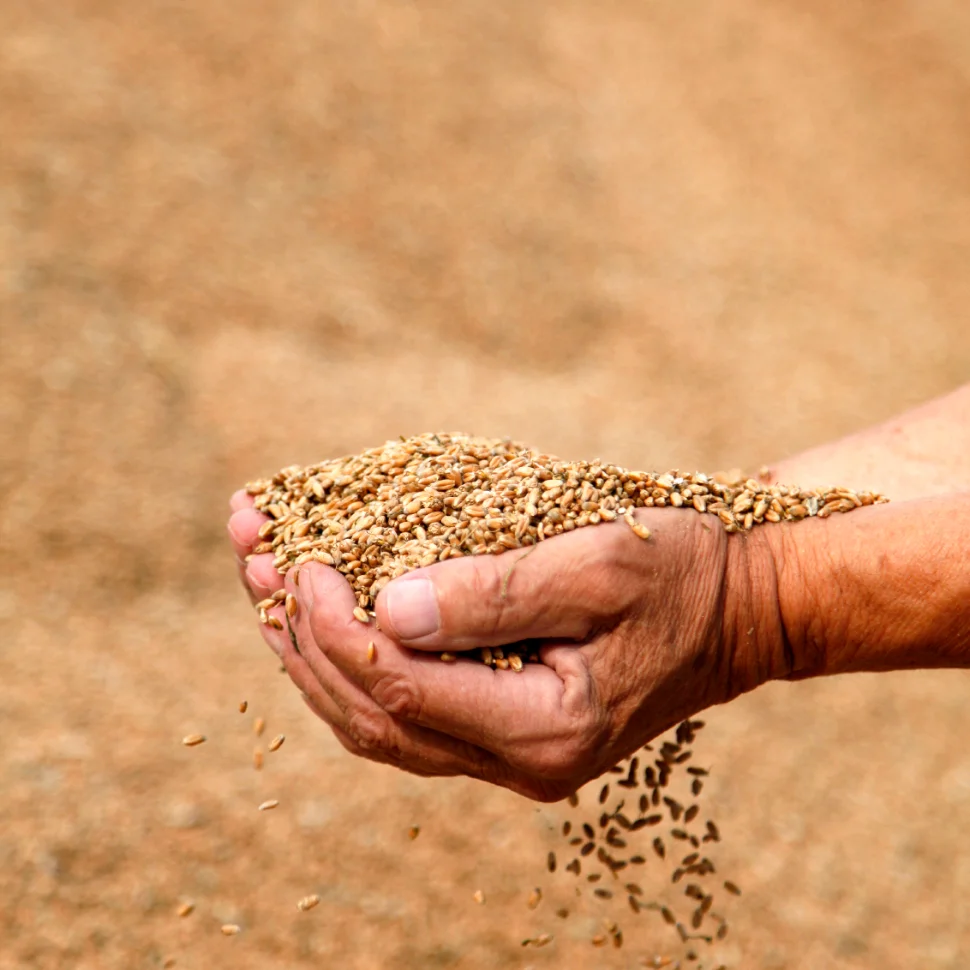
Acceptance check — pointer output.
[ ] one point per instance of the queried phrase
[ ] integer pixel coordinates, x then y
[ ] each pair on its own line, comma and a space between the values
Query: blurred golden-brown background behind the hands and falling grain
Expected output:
238, 235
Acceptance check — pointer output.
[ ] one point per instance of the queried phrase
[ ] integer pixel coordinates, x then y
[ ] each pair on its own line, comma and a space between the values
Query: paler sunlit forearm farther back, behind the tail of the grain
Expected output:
925, 451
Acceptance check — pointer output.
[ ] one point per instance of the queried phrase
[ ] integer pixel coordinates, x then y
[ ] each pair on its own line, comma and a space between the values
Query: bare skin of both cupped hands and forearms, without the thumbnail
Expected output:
640, 634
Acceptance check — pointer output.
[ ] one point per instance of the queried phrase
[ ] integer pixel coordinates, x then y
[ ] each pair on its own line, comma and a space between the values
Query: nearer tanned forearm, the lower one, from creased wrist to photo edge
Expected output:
880, 588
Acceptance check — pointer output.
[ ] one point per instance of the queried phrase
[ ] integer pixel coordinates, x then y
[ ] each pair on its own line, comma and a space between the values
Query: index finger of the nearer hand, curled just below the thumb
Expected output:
508, 714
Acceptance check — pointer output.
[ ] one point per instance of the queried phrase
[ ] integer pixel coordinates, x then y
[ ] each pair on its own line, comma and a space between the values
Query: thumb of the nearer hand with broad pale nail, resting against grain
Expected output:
558, 588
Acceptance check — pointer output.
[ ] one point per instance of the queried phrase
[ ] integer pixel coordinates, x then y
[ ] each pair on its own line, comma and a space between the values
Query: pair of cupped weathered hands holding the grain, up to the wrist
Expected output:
635, 635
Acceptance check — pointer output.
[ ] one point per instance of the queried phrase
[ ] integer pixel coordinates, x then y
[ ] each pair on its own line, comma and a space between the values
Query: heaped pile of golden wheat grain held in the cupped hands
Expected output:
429, 498
